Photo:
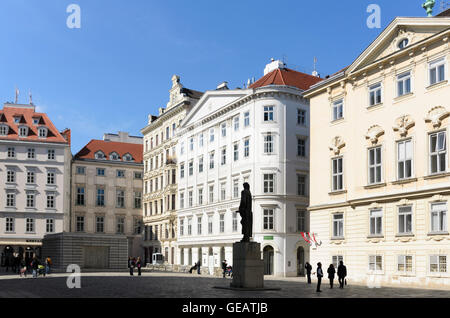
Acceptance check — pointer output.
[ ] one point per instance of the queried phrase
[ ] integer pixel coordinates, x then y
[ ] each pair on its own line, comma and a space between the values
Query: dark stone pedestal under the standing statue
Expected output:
248, 268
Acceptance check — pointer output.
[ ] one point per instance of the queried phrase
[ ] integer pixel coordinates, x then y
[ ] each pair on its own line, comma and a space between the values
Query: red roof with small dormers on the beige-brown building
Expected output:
108, 147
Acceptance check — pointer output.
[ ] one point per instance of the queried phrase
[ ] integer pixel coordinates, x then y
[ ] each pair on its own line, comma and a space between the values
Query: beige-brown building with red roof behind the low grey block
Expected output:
107, 192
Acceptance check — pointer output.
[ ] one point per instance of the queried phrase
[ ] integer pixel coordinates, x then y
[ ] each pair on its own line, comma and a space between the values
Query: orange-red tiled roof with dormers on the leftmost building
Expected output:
27, 113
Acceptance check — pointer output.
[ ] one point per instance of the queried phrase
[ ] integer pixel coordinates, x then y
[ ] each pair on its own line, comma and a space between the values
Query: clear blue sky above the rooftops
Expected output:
115, 70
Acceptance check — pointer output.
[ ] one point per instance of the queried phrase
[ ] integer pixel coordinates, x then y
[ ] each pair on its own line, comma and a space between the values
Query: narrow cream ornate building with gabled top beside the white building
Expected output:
160, 173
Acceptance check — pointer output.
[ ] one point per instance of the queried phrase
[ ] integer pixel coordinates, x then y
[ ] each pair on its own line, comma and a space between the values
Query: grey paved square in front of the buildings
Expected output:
162, 285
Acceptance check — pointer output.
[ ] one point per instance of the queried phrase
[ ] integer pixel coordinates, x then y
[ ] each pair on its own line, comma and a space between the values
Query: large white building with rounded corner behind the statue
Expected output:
258, 135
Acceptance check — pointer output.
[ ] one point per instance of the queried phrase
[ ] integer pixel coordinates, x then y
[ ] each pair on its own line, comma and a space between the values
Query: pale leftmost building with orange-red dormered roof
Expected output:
35, 169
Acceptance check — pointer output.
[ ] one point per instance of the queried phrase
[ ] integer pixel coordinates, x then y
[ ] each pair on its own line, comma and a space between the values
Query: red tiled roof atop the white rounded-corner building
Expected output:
287, 77
